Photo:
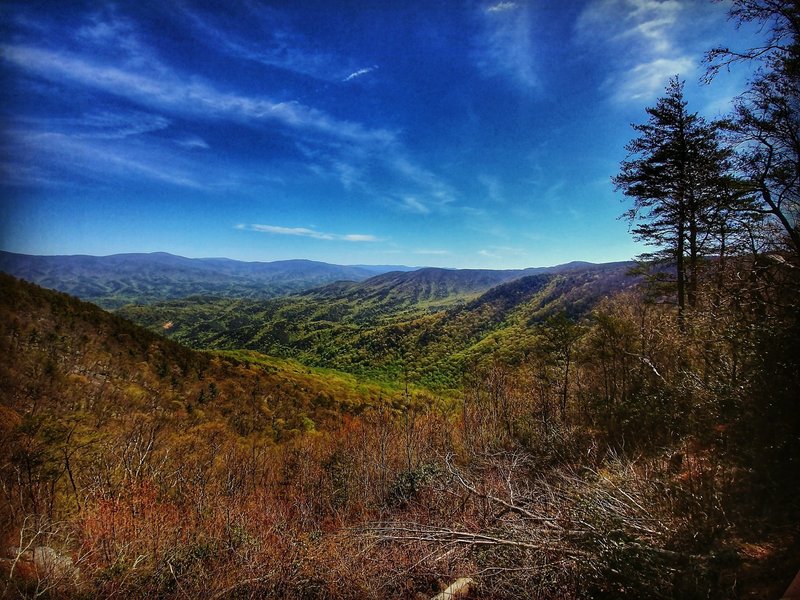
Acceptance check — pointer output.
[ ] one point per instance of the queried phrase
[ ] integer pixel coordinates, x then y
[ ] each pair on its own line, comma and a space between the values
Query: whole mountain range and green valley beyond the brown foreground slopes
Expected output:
381, 322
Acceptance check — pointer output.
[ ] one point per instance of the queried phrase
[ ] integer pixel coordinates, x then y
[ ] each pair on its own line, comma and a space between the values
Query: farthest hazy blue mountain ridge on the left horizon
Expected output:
119, 279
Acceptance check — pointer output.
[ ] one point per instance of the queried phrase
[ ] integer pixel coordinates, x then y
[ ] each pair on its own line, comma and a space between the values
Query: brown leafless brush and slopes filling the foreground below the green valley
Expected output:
622, 457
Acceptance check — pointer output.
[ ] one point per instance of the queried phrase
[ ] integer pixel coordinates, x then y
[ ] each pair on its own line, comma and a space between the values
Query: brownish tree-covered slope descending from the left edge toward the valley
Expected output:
71, 358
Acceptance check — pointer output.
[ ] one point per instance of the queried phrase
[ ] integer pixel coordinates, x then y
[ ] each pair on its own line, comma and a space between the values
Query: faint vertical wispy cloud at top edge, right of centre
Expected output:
505, 46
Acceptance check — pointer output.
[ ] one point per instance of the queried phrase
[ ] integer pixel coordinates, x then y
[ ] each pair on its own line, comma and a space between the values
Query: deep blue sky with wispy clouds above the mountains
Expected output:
457, 134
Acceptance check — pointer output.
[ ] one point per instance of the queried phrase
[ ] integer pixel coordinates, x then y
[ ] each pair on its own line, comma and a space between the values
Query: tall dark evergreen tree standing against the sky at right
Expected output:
676, 173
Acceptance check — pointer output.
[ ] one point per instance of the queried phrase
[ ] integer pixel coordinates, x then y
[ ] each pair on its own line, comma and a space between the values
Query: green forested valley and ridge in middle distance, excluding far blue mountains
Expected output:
426, 325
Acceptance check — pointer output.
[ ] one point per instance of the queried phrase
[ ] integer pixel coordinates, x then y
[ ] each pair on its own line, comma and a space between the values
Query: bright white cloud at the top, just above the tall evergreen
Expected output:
643, 36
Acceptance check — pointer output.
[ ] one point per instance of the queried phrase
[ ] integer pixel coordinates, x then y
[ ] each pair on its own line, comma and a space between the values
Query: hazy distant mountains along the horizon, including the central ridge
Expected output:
145, 278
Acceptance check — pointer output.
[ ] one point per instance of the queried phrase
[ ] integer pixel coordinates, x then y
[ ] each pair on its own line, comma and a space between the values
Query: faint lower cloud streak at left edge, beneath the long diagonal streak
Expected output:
111, 147
